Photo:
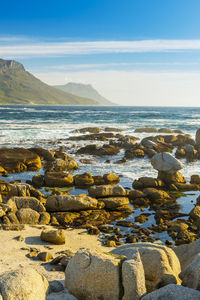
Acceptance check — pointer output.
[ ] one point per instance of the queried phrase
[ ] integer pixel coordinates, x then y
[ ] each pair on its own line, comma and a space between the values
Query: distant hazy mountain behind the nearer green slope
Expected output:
84, 90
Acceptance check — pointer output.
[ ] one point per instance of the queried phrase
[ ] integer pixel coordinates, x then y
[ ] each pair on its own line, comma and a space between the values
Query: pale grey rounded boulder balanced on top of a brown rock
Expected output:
165, 162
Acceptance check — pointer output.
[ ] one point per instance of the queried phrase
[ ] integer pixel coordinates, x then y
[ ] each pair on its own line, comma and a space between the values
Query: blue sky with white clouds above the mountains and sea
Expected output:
134, 52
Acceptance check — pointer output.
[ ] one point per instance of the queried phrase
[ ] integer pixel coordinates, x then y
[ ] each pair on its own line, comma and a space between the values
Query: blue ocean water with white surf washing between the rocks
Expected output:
51, 126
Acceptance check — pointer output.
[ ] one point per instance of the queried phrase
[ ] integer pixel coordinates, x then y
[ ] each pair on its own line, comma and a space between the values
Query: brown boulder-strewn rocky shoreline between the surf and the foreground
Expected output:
103, 211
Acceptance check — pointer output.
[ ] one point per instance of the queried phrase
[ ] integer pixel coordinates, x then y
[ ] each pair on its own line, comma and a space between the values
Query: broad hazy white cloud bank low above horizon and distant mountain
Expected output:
137, 88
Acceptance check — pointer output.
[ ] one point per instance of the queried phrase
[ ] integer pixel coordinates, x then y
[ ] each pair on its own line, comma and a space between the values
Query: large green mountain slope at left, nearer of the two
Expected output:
17, 86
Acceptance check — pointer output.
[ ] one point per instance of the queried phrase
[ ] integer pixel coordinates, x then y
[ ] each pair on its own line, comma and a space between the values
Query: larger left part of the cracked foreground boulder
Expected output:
90, 275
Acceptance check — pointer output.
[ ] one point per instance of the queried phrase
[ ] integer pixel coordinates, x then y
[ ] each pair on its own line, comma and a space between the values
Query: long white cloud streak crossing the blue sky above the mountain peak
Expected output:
51, 49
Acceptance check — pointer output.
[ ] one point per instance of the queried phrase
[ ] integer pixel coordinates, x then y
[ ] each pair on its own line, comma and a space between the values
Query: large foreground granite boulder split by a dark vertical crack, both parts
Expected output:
93, 276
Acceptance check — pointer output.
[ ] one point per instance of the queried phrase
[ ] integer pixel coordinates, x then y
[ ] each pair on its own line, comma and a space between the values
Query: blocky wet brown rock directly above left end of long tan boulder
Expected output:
58, 179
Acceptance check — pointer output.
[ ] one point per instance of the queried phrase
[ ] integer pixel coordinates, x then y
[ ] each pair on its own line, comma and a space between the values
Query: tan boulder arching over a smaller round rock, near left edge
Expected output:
25, 202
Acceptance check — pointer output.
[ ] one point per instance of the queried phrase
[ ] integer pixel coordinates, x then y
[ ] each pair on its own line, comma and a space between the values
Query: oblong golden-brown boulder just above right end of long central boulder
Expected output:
107, 191
